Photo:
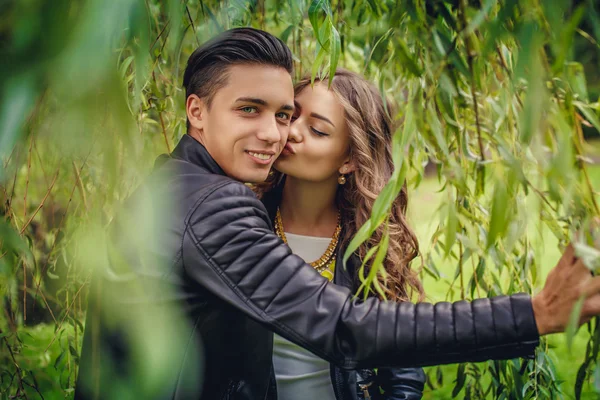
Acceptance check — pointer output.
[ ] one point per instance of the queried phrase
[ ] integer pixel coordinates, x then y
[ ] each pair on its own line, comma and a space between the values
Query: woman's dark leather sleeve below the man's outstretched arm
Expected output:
401, 383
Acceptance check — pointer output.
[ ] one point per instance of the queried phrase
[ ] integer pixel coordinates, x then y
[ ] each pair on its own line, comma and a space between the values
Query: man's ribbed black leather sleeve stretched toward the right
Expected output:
230, 250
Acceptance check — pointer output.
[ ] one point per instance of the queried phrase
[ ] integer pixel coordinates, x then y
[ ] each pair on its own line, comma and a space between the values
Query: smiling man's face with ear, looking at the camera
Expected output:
247, 124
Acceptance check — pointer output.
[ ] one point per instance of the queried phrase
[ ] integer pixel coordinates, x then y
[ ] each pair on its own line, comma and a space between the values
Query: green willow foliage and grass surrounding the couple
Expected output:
497, 96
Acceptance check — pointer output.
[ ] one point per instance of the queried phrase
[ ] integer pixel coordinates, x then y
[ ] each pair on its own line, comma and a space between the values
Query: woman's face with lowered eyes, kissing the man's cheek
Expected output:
318, 144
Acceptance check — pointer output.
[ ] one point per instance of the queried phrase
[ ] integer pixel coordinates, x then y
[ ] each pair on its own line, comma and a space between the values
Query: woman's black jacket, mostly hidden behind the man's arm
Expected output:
397, 383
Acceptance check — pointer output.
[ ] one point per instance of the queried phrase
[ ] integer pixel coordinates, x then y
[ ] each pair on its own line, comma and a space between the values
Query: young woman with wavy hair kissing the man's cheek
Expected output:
337, 160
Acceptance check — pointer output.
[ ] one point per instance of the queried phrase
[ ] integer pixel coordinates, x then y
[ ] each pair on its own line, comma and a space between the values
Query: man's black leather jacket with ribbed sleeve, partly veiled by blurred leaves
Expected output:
219, 266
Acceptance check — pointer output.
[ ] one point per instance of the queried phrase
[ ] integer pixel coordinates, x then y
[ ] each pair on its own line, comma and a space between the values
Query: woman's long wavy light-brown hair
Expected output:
371, 127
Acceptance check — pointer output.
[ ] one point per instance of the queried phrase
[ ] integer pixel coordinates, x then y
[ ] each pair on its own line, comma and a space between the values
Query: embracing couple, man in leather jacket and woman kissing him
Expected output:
254, 274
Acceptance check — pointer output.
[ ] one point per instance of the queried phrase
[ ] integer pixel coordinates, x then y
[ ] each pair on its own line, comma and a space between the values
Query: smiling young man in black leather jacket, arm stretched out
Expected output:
219, 282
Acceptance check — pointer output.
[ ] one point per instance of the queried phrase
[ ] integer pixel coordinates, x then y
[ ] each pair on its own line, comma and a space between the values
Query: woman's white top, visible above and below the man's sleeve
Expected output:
301, 375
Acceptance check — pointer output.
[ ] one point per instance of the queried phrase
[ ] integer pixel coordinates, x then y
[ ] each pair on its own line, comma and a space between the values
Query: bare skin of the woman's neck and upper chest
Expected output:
308, 208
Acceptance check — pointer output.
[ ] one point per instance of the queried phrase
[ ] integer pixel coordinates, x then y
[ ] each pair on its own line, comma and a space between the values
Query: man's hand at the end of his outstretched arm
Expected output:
566, 283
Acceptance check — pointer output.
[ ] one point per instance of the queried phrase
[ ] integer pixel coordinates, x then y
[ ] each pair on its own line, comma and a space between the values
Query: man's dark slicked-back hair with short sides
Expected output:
207, 67
